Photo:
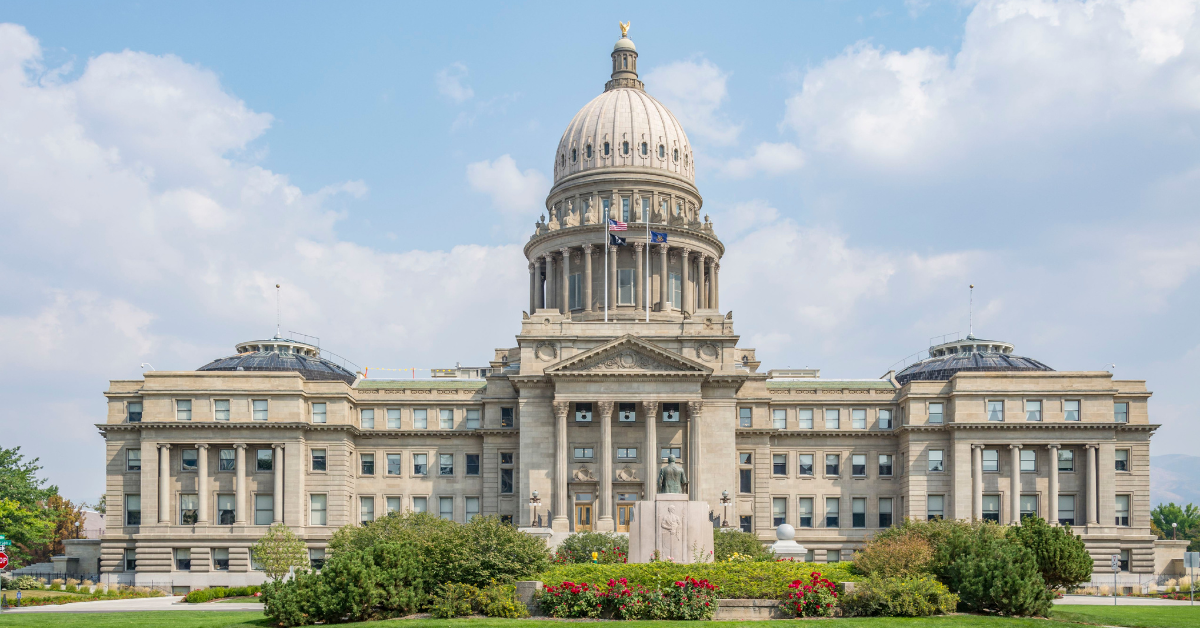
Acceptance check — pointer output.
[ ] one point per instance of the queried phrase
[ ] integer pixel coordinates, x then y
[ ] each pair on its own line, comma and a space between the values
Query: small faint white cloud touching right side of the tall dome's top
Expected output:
694, 92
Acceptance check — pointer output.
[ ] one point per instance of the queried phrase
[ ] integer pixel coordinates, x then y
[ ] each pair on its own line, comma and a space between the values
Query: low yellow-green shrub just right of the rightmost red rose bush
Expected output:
899, 597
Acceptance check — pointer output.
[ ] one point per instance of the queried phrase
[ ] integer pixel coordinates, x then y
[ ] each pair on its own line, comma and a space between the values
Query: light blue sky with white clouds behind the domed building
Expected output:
164, 166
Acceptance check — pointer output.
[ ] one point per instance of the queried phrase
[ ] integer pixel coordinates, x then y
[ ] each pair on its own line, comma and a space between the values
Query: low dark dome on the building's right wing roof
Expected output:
969, 355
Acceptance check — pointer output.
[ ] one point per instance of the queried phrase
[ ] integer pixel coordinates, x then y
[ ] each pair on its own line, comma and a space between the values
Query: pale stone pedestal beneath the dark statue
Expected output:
677, 529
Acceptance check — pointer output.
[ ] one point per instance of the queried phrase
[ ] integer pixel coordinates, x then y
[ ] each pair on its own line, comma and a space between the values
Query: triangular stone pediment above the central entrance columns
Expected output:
629, 356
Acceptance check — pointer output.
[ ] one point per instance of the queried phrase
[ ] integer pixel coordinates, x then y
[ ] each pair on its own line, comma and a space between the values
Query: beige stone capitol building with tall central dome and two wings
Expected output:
626, 357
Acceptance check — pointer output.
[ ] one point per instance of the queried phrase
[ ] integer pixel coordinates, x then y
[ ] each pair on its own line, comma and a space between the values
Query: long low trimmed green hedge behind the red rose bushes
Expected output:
737, 581
